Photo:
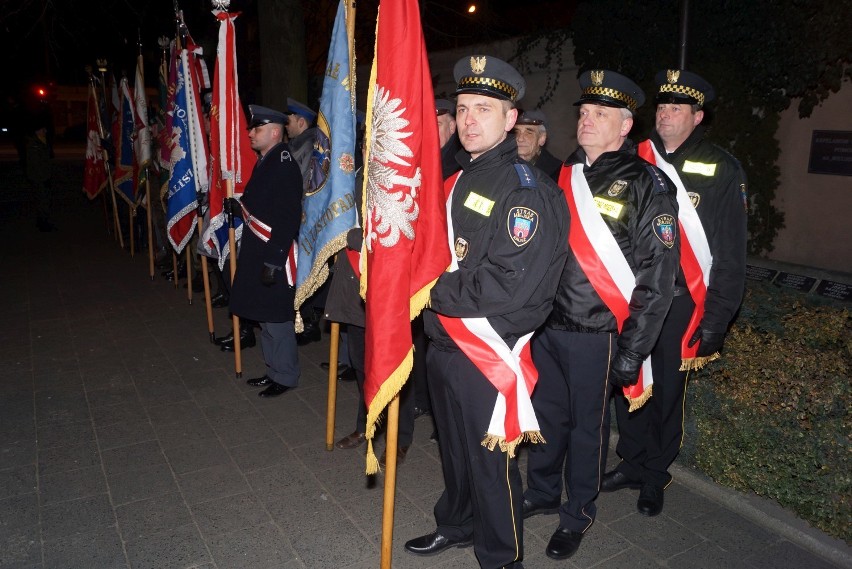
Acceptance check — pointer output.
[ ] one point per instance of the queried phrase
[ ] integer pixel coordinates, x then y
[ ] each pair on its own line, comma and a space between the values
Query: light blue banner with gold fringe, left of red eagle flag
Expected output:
329, 205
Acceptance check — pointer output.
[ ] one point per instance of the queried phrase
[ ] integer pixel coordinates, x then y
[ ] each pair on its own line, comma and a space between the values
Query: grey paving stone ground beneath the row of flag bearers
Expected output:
127, 442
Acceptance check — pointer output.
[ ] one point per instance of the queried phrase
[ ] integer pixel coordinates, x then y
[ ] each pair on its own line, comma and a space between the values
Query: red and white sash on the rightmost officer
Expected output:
695, 256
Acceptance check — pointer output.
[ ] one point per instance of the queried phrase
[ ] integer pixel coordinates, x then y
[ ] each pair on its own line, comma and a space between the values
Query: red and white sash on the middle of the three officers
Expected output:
603, 263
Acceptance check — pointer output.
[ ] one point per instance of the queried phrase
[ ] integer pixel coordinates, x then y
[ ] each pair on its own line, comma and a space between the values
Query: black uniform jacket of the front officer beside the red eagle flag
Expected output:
503, 276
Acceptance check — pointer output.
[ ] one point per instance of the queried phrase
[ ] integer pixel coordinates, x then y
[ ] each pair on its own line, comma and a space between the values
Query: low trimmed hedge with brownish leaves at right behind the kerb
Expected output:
773, 415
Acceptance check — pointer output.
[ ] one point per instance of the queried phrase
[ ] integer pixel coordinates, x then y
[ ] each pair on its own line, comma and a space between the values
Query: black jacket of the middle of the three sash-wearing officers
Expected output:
645, 193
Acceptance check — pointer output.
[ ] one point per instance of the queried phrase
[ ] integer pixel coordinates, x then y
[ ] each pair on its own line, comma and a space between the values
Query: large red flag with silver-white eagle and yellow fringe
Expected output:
406, 228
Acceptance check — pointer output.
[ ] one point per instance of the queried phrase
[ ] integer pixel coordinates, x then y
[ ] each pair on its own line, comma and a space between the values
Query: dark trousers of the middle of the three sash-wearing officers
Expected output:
571, 402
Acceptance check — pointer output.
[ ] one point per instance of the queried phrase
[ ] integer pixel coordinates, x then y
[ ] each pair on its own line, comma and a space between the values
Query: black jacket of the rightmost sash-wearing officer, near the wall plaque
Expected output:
716, 184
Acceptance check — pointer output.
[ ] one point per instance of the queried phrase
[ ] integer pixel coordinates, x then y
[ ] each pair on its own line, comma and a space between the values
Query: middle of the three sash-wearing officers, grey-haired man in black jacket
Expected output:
613, 295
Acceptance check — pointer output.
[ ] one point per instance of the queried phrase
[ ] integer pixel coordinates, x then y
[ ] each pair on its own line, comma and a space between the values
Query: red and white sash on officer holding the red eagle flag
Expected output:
510, 371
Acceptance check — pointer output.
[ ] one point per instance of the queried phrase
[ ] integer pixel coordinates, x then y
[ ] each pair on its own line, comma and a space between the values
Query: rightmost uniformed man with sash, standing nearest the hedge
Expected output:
709, 289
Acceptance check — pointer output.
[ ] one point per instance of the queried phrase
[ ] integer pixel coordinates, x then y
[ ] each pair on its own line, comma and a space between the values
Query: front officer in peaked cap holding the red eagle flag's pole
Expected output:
508, 229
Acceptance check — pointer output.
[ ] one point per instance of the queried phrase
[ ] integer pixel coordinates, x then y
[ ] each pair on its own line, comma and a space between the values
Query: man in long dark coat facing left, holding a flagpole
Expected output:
263, 287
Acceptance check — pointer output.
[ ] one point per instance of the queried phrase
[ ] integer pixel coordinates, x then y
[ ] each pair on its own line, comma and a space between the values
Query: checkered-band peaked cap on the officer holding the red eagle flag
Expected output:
489, 76
